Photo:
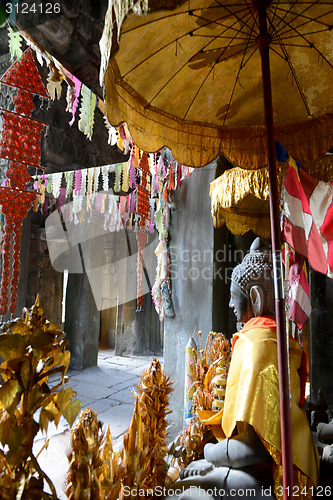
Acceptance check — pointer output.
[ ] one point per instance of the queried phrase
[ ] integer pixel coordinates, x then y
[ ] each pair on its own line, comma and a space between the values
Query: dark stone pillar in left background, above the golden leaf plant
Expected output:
82, 323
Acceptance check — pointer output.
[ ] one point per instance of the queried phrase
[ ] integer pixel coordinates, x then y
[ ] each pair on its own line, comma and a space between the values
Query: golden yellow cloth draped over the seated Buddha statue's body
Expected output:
252, 396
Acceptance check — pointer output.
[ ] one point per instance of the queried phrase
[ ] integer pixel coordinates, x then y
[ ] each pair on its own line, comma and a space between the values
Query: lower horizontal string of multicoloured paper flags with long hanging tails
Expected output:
148, 179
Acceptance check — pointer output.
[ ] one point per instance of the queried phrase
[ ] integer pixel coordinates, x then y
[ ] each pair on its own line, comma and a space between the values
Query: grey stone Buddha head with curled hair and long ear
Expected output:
252, 285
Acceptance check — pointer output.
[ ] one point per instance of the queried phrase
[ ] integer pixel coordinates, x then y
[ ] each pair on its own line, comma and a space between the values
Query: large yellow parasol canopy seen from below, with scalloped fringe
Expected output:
191, 79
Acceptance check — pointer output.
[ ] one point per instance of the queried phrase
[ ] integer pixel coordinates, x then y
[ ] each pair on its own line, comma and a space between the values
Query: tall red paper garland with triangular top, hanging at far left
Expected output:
21, 144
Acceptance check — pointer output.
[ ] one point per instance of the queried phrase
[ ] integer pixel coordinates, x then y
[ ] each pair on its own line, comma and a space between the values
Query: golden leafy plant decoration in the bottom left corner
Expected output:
32, 349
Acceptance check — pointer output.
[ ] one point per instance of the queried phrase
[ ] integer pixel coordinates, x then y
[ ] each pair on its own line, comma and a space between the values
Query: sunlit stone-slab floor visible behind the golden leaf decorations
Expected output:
107, 390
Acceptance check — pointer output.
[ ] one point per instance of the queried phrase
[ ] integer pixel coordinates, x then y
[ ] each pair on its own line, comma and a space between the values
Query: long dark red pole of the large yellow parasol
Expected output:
264, 40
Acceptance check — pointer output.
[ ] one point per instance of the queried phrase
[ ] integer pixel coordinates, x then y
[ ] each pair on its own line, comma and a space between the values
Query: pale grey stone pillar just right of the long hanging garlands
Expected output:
191, 251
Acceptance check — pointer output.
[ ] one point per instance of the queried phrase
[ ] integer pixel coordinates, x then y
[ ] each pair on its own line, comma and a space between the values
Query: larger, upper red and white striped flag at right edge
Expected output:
308, 217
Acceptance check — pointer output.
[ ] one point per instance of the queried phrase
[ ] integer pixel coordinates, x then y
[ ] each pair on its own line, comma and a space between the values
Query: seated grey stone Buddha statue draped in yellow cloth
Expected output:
248, 453
